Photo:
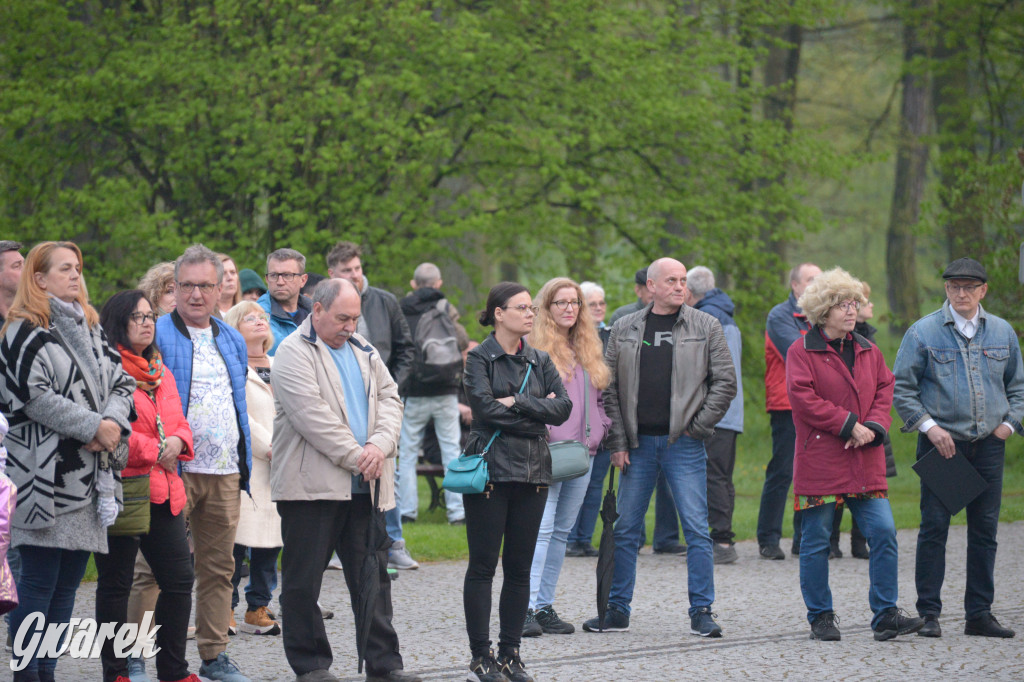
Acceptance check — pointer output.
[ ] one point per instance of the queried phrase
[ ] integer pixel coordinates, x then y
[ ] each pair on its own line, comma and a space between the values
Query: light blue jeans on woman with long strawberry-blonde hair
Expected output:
561, 511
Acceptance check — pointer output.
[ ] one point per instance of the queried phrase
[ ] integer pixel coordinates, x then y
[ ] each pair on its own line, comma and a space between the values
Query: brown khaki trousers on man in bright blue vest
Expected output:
212, 510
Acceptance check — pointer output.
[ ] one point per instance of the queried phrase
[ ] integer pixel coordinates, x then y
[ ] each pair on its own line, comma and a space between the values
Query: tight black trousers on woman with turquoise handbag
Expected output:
513, 511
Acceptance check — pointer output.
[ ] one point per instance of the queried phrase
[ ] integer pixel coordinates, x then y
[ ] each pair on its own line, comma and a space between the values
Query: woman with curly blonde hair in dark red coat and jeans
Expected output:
842, 393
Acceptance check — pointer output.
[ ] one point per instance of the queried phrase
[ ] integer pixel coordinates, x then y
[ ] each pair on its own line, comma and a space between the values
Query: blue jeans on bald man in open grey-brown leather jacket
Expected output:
685, 464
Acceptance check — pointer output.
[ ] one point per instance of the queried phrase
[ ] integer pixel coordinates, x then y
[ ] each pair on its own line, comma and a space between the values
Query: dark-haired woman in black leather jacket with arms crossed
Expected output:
520, 467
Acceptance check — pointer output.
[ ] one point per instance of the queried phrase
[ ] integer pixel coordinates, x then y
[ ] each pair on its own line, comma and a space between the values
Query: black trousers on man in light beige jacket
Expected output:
312, 531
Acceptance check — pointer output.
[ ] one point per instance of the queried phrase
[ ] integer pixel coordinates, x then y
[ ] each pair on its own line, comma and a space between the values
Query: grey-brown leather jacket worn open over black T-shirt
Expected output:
704, 379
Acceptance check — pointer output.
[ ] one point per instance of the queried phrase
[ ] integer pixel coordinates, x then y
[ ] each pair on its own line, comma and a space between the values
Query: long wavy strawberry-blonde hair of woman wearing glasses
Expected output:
583, 338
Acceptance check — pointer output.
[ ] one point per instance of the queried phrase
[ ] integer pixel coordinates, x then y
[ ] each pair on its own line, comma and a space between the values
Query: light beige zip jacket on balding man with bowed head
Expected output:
315, 453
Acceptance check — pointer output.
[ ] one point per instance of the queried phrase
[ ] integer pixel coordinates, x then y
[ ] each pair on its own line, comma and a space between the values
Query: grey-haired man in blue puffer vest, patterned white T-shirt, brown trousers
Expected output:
209, 362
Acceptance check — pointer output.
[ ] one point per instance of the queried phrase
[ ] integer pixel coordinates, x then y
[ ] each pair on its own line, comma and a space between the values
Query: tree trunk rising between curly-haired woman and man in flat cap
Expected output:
909, 187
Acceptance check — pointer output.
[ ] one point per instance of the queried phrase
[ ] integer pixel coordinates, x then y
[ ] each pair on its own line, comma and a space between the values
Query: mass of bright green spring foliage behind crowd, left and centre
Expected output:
523, 138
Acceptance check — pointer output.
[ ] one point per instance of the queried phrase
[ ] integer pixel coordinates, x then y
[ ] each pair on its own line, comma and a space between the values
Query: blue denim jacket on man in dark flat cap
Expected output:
968, 387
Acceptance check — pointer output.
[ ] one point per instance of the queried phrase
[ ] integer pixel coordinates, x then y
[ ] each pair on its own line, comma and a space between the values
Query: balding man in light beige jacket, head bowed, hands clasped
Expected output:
335, 434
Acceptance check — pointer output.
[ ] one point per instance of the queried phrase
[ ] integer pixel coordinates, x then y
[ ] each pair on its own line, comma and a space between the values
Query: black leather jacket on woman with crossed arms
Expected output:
521, 453
